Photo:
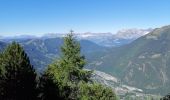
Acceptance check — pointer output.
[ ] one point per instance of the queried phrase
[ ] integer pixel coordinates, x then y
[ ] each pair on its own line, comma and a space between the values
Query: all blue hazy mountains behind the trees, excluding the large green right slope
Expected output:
43, 50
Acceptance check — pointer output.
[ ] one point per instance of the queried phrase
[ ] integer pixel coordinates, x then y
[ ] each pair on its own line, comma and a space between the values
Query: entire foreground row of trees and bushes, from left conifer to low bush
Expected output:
64, 79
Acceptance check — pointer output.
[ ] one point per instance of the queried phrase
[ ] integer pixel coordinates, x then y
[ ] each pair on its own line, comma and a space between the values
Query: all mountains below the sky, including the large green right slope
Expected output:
139, 58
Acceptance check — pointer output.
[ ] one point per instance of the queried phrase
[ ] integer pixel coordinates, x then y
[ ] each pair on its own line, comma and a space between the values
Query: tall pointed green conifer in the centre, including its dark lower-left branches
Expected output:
67, 71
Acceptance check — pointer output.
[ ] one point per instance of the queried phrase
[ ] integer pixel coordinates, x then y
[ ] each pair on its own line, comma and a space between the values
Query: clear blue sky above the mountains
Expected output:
37, 17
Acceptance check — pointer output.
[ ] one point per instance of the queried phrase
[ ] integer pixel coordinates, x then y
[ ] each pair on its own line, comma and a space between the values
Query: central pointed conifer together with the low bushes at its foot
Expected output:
68, 78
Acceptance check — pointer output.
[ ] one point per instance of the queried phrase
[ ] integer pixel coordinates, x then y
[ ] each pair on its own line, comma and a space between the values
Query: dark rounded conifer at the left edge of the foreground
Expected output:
18, 77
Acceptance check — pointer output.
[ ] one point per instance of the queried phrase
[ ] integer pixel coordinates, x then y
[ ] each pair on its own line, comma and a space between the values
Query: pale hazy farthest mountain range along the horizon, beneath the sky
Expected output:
103, 39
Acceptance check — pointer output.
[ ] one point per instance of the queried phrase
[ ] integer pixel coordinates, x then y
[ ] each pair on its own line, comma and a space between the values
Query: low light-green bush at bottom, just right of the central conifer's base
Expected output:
89, 91
